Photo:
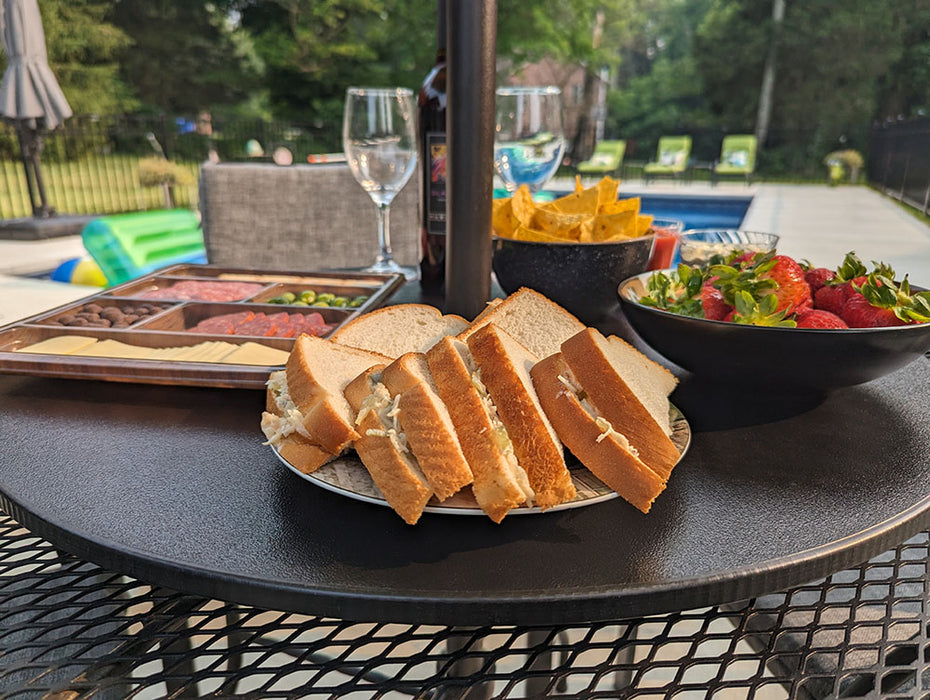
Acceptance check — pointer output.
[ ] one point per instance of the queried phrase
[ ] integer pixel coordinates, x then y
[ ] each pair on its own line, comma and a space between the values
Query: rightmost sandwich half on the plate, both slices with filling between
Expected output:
609, 406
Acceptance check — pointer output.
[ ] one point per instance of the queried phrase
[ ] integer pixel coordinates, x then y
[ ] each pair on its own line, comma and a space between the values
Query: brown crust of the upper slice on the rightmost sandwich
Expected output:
616, 402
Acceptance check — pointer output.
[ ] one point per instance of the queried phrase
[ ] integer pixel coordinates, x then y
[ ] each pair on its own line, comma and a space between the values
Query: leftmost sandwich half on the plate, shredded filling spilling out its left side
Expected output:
308, 398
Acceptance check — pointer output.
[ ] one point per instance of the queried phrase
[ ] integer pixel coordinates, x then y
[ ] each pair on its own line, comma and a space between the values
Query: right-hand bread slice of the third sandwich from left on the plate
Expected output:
505, 371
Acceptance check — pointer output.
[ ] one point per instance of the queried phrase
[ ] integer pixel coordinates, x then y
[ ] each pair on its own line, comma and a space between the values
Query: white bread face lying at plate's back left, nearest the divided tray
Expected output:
395, 330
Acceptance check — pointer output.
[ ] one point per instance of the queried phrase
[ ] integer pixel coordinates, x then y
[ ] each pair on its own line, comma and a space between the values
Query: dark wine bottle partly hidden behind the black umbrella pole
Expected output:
431, 125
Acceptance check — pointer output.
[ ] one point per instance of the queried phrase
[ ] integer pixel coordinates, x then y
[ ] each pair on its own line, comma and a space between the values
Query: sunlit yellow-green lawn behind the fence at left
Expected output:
96, 185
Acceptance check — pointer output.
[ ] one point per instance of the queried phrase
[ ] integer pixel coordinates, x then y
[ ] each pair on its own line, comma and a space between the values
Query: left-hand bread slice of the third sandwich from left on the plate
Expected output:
500, 484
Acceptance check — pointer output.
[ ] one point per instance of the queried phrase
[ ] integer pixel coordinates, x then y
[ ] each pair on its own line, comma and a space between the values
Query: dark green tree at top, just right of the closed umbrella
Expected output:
185, 56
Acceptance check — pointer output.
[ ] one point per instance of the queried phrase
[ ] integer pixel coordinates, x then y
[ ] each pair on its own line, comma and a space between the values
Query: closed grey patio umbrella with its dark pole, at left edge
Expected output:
30, 97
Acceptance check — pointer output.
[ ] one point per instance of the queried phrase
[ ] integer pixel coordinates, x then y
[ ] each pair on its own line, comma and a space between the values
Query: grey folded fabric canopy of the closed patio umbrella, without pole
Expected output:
29, 93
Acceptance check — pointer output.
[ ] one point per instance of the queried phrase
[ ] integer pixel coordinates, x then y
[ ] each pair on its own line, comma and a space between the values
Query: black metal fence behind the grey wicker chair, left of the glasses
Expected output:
111, 164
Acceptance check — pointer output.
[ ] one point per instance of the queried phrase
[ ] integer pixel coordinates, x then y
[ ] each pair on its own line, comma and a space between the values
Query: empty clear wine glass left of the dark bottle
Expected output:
380, 143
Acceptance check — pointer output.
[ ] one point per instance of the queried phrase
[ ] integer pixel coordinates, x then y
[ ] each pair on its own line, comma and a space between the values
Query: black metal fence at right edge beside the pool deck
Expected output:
899, 161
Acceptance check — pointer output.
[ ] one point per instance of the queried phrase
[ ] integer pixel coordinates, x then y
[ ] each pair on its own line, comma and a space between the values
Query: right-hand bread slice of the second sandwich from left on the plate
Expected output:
426, 422
